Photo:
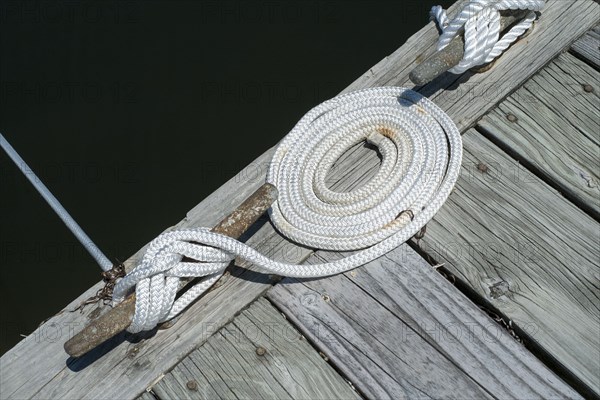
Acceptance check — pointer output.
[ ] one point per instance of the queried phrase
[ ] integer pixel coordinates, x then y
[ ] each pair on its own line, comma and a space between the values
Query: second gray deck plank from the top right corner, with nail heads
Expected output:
557, 131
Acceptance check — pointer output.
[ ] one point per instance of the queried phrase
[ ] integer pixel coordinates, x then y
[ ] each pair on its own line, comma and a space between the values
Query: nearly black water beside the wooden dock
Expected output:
132, 112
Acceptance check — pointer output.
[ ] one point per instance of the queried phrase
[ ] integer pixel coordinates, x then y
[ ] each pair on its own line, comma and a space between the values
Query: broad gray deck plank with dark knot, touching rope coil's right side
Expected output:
525, 248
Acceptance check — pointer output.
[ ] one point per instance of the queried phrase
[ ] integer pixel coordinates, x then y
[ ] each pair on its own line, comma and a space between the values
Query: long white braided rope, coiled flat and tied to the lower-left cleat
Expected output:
421, 153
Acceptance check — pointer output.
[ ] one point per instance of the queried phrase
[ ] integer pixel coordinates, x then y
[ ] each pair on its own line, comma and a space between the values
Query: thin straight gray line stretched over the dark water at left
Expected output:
53, 202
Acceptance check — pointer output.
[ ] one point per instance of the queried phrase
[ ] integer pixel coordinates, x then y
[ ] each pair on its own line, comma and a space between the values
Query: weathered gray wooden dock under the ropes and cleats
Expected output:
500, 299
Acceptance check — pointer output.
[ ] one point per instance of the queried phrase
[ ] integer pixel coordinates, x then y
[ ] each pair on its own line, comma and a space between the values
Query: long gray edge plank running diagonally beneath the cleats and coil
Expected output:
39, 367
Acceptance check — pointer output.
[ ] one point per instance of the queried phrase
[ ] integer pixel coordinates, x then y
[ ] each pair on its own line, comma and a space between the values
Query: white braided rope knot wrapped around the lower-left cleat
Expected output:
169, 258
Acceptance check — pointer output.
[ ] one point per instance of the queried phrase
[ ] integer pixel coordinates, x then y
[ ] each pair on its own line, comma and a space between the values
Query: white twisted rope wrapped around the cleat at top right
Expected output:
480, 21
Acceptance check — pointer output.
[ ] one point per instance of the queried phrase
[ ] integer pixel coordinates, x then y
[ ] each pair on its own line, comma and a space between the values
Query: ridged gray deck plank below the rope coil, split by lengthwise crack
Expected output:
398, 329
